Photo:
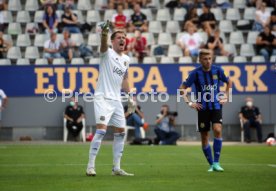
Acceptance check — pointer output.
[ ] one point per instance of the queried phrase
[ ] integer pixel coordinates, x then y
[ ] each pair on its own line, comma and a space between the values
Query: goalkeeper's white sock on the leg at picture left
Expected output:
95, 147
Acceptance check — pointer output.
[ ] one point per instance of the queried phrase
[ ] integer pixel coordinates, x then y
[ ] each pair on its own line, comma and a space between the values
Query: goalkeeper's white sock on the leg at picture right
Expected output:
118, 148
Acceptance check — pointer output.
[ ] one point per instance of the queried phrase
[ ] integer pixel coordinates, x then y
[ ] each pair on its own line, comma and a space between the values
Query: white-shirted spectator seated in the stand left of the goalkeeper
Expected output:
52, 48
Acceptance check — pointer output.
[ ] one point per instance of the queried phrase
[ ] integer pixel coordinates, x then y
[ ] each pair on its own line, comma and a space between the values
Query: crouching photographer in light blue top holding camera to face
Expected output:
165, 123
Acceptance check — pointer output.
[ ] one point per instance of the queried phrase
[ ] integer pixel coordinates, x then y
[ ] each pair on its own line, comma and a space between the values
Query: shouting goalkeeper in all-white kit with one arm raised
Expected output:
108, 108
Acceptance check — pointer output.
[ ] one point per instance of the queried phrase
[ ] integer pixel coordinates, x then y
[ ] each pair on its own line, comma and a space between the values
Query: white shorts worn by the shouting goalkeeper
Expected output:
109, 112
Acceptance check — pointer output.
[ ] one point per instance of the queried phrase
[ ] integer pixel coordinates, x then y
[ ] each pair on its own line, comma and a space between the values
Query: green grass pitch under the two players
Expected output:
61, 167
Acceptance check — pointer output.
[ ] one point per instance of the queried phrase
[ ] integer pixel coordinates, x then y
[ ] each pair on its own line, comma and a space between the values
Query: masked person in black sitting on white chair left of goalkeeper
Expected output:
74, 115
